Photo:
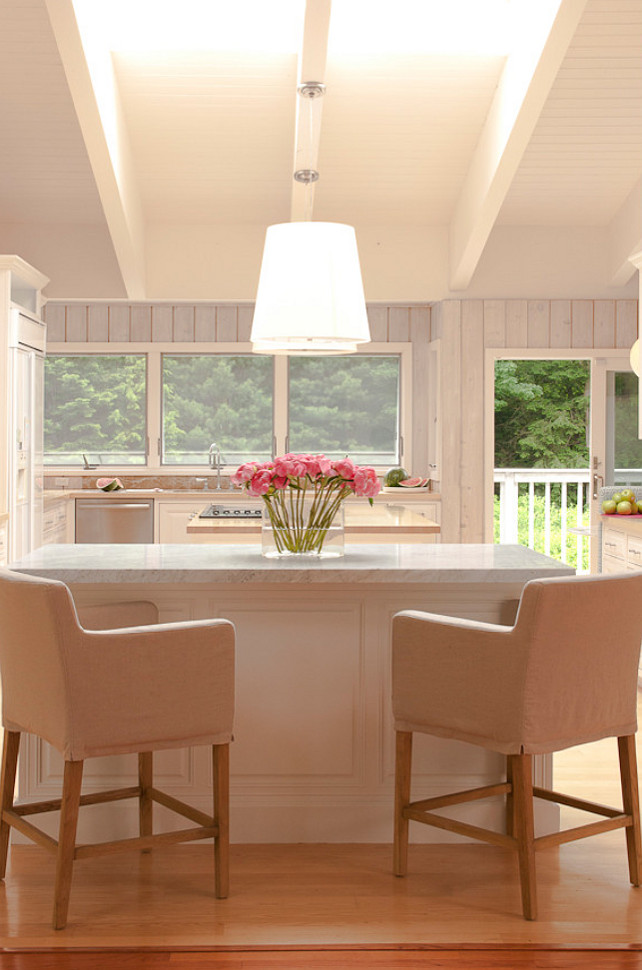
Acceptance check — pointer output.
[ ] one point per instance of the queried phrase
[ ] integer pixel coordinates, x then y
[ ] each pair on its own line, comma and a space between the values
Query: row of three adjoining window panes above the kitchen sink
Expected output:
163, 408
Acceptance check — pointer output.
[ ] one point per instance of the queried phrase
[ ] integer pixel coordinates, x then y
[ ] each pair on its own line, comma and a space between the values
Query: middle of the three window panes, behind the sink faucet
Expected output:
225, 399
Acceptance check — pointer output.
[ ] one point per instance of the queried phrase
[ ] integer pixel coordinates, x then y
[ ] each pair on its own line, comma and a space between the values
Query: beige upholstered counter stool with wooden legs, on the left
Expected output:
111, 691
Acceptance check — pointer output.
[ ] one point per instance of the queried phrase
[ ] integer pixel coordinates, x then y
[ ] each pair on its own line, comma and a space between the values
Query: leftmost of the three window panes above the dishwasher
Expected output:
95, 407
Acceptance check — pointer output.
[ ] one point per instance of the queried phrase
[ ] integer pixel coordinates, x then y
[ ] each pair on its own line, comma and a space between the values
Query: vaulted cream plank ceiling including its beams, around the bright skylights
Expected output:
154, 174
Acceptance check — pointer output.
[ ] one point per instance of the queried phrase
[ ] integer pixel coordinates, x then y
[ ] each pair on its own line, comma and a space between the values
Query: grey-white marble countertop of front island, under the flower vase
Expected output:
393, 563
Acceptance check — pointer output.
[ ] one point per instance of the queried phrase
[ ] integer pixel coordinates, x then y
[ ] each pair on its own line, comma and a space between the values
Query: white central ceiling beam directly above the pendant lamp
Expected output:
312, 65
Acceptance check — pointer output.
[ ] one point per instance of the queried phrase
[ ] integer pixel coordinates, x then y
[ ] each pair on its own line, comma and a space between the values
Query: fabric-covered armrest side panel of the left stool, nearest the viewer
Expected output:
150, 685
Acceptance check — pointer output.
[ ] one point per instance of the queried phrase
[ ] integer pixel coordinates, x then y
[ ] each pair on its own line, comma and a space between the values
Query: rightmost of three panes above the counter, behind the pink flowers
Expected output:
345, 406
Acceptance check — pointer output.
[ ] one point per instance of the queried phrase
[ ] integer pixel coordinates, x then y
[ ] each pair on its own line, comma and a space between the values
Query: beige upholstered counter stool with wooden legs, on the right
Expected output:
564, 674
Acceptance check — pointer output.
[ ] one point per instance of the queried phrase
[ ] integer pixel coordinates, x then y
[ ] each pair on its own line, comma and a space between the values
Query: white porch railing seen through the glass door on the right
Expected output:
530, 514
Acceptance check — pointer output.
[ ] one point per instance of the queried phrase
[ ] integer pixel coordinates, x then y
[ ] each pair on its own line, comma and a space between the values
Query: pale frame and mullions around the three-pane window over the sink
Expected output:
154, 353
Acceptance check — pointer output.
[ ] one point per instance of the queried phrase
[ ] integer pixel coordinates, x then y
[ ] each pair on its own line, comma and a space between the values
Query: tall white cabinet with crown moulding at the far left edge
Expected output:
22, 348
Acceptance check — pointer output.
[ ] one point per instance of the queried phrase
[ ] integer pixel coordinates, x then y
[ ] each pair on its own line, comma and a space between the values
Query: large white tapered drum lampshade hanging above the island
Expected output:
310, 296
